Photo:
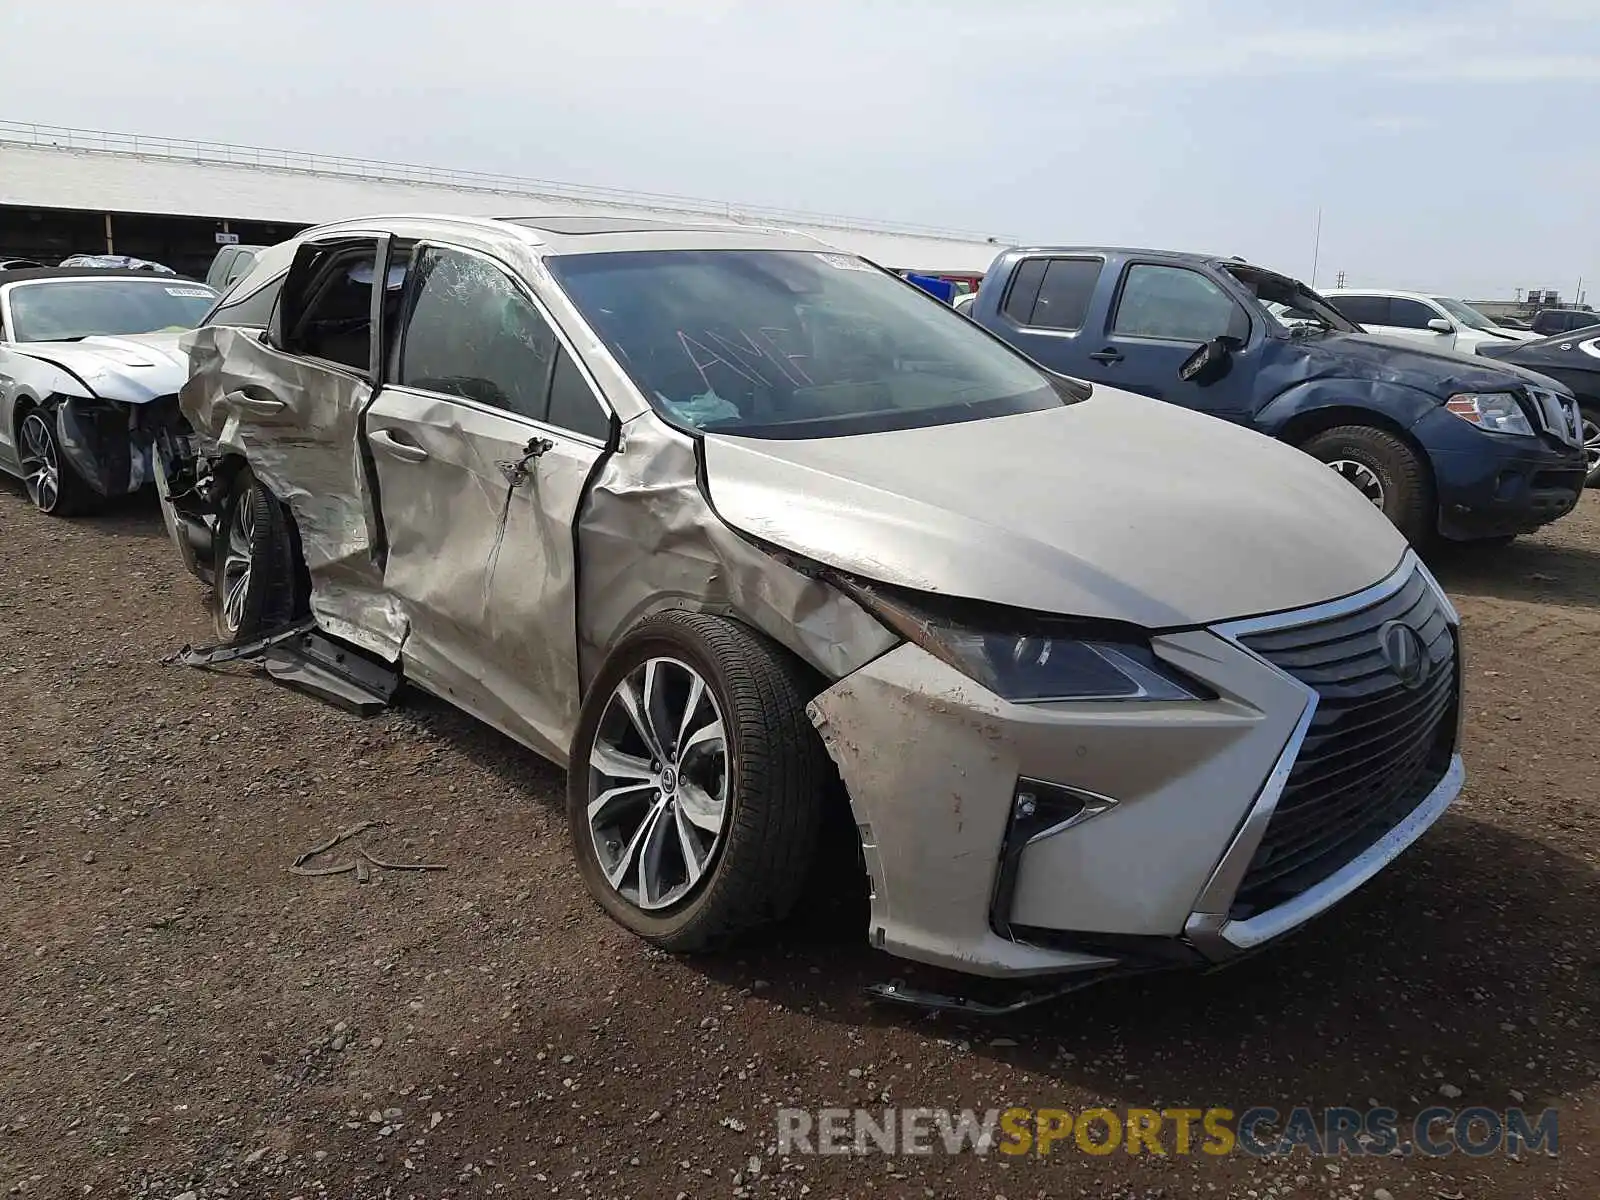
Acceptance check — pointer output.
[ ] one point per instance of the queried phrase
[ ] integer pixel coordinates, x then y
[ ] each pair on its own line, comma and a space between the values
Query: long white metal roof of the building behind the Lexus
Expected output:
57, 167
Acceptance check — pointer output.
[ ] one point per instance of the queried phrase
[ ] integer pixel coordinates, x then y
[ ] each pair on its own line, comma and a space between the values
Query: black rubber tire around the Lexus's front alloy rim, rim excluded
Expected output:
778, 783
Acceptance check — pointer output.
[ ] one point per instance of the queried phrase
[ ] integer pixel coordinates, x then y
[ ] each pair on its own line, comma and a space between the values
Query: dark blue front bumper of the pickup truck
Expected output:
1494, 486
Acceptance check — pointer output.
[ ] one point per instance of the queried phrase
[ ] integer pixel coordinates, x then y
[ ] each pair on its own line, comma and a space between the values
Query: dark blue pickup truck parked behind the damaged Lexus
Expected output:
1447, 446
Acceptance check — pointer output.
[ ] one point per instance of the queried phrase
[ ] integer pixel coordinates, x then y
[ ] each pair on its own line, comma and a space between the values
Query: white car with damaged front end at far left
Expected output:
82, 356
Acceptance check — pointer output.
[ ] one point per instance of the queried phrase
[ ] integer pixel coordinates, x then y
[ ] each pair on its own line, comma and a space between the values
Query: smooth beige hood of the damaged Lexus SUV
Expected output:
1116, 508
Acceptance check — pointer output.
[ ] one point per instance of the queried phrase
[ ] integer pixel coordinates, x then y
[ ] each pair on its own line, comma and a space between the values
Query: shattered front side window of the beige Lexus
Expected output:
473, 334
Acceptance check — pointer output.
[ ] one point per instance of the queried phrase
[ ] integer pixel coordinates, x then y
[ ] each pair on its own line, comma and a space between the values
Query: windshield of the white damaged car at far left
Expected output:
76, 308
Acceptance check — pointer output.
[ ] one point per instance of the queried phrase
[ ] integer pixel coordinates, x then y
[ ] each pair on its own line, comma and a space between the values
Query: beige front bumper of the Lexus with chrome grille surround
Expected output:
1153, 870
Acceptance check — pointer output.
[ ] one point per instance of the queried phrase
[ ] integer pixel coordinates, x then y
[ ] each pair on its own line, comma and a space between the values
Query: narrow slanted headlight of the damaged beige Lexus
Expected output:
1036, 668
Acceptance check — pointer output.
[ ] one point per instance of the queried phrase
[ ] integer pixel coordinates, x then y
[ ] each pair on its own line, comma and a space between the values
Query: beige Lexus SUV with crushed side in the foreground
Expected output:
737, 527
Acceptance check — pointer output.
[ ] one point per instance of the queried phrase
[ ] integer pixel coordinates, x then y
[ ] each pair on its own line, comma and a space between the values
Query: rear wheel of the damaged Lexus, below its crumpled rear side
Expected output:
273, 591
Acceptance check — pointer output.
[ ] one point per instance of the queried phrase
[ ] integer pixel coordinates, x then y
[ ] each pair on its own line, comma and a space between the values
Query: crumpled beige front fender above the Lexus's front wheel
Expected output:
649, 542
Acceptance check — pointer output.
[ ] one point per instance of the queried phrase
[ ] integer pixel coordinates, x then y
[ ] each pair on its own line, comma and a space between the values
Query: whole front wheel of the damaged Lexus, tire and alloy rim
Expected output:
697, 783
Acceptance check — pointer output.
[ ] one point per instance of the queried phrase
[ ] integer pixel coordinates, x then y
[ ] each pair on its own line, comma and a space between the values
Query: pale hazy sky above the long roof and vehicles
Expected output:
1450, 146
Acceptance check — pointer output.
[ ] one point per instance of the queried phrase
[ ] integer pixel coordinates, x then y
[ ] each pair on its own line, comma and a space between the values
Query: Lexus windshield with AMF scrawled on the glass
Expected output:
793, 345
